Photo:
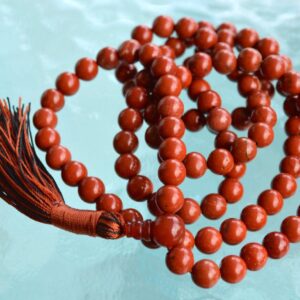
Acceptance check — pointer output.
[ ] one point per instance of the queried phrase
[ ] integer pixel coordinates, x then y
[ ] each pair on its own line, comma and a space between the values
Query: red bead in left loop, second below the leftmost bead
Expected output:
57, 156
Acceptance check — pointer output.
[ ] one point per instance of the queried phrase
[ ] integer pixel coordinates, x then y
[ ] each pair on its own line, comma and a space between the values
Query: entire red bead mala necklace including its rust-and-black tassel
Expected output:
152, 95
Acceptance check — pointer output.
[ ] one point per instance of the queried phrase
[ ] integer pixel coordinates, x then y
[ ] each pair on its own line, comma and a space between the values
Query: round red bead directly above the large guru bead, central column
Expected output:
169, 199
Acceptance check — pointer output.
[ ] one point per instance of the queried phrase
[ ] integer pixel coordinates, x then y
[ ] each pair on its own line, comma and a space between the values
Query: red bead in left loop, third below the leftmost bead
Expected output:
73, 172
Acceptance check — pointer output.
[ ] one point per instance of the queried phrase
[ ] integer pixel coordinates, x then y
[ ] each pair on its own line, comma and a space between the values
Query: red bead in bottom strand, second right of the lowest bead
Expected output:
255, 256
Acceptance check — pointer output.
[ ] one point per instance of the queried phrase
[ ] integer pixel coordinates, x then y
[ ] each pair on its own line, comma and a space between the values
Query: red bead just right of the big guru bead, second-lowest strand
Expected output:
208, 240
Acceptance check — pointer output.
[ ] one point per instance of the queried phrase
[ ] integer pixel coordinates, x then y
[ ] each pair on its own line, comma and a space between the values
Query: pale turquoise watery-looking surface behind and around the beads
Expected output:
39, 40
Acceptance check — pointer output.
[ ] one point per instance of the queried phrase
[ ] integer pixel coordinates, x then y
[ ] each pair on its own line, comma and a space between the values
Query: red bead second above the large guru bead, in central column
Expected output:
172, 171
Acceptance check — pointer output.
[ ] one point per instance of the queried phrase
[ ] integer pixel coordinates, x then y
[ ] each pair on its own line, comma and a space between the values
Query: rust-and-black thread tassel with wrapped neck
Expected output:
26, 185
